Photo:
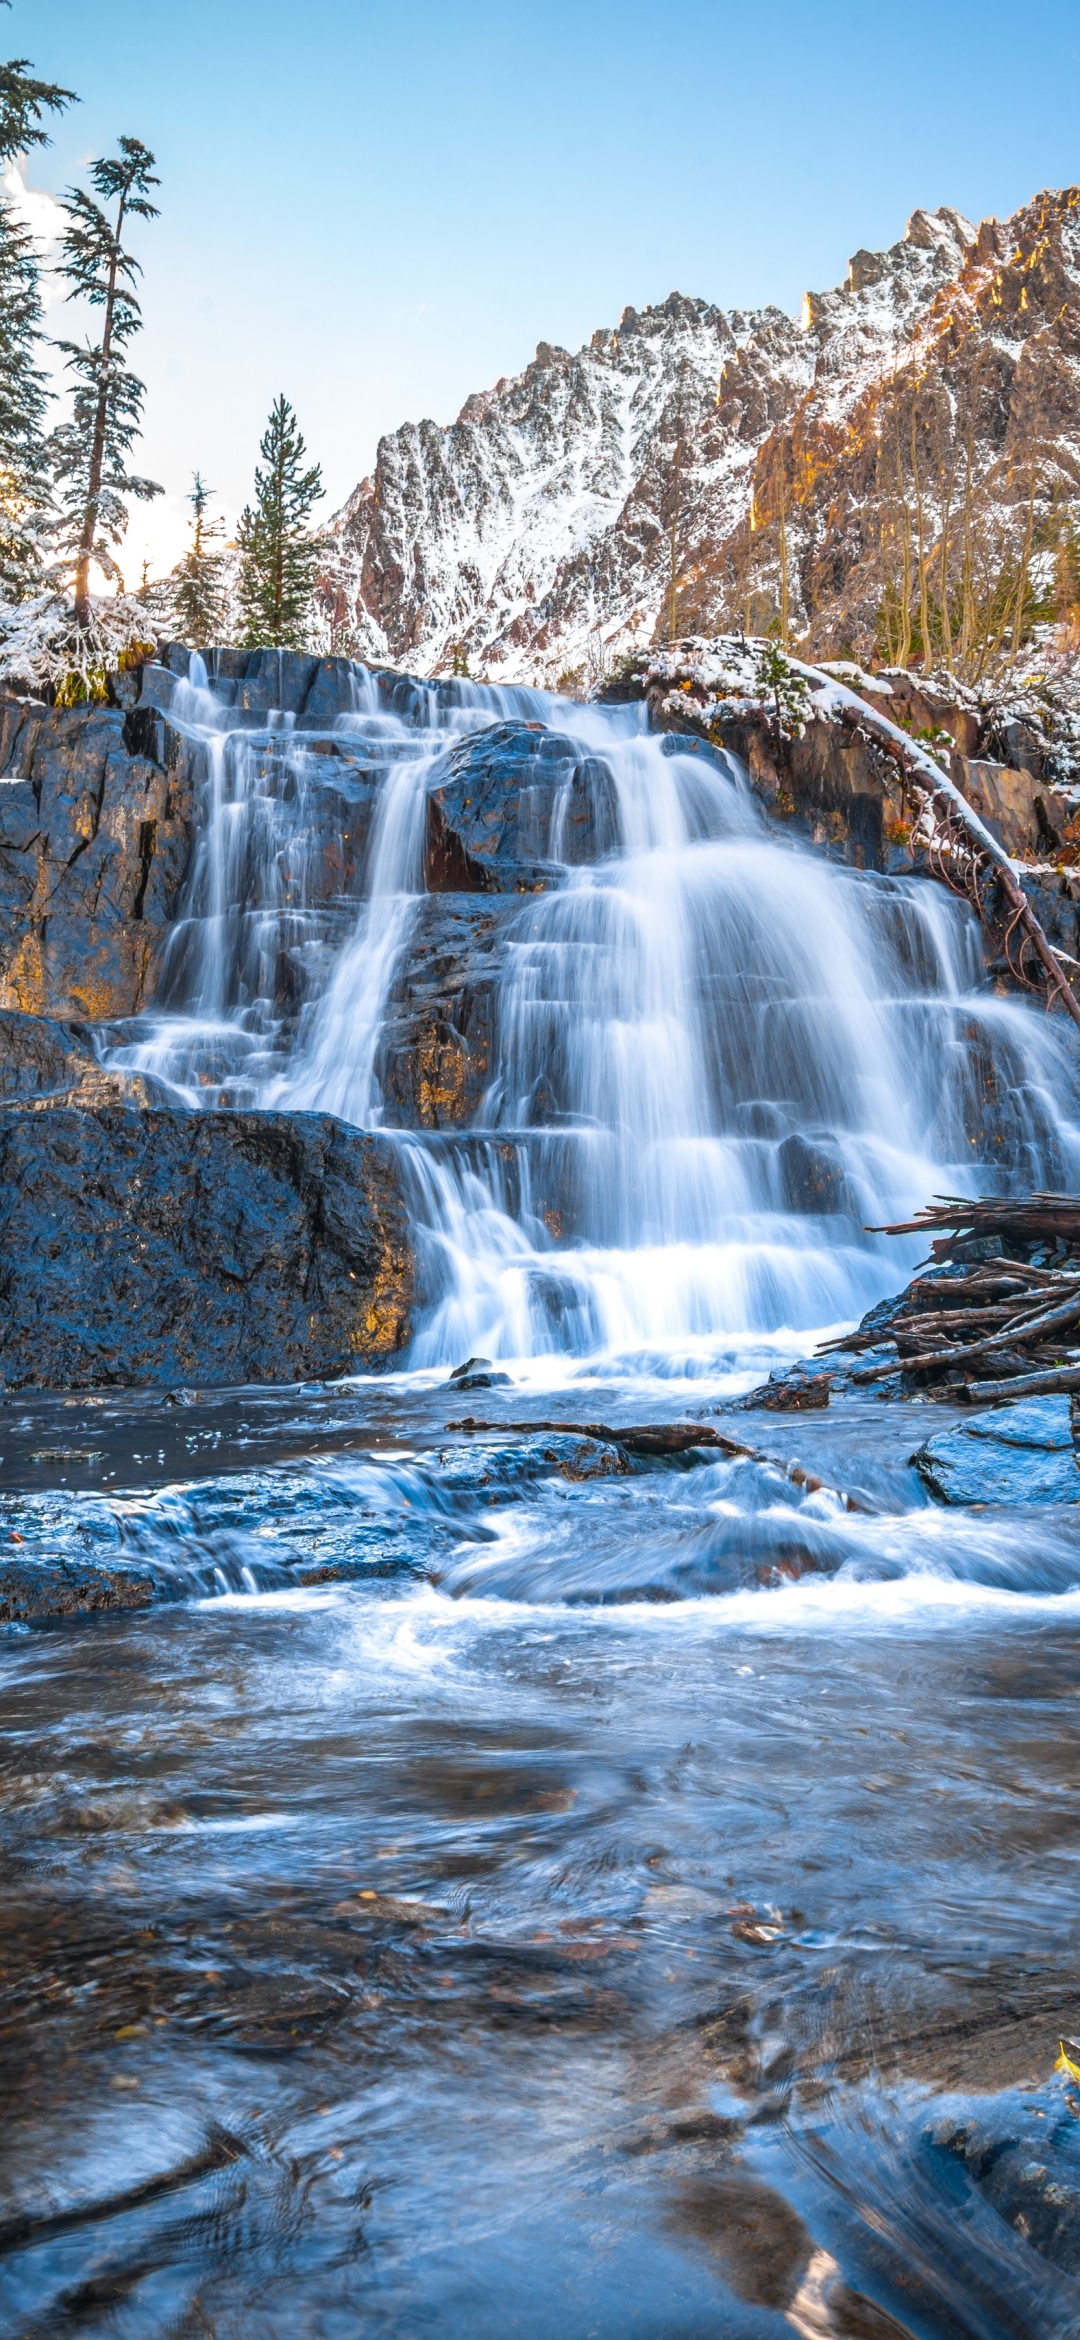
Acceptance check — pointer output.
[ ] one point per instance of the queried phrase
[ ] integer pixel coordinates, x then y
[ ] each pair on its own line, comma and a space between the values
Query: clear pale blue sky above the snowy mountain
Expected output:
382, 209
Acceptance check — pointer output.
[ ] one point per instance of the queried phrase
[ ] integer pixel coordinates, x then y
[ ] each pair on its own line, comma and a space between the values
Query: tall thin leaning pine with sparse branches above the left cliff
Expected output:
92, 450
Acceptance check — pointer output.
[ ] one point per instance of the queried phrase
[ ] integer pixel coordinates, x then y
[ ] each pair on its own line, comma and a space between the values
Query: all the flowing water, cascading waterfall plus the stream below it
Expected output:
499, 1890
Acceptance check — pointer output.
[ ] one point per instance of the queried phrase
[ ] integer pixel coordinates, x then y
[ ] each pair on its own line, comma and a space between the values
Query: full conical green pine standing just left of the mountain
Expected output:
277, 553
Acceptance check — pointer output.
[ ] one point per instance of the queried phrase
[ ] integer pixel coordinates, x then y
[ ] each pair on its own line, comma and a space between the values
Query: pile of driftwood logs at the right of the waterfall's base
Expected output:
1002, 1312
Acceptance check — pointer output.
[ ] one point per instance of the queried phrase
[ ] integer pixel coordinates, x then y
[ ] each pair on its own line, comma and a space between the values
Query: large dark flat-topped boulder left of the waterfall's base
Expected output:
214, 1248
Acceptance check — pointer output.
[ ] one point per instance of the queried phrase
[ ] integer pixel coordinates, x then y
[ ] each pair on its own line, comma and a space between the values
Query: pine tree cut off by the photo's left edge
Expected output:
25, 474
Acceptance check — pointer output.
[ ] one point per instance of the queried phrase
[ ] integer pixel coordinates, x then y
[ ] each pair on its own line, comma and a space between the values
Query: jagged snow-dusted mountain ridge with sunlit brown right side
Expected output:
651, 481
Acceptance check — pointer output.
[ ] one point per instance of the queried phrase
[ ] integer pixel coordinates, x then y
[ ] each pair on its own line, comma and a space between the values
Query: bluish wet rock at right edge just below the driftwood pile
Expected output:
1009, 1454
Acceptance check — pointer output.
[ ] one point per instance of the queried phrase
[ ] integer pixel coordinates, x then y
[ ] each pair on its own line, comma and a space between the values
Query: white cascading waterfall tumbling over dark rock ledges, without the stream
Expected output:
691, 1035
